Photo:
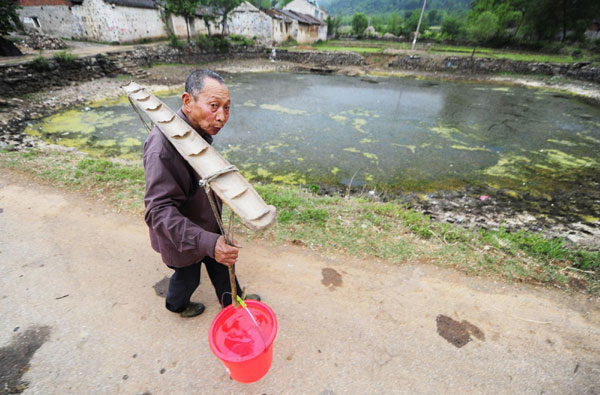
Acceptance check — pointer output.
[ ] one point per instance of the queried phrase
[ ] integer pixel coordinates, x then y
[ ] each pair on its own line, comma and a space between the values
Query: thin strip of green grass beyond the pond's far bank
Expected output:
375, 46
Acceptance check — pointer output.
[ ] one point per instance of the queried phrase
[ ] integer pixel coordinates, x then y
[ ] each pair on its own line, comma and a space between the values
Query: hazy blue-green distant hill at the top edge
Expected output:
370, 7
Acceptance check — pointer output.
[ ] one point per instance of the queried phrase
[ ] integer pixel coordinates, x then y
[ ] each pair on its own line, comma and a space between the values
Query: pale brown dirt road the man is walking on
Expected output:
80, 303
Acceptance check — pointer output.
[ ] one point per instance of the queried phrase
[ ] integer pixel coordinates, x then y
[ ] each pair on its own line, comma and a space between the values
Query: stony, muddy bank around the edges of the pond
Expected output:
476, 207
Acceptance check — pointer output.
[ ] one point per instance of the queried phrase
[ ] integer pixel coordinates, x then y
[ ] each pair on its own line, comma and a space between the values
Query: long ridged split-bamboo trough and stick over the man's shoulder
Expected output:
216, 172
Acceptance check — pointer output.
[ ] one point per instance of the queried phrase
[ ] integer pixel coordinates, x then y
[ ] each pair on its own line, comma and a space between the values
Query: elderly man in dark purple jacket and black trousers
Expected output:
183, 227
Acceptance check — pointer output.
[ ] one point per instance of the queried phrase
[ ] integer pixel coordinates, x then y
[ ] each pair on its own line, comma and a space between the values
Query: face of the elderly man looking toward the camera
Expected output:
209, 111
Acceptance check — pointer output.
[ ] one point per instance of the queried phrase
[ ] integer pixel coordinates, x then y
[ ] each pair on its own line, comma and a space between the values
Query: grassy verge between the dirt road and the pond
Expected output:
355, 226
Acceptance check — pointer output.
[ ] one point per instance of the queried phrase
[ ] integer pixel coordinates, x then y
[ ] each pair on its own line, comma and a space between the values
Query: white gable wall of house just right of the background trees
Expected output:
249, 21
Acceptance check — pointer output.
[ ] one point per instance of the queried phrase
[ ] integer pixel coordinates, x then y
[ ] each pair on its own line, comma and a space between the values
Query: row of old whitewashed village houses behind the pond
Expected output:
122, 21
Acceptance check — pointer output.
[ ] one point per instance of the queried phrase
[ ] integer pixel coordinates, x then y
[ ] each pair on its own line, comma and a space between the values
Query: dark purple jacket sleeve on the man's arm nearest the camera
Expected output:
165, 193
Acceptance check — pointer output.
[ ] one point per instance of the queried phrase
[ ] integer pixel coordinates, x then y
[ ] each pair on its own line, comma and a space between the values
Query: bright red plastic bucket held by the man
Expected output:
235, 340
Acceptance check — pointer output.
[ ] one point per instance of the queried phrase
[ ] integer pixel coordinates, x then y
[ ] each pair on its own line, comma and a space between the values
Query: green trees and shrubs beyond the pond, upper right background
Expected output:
527, 30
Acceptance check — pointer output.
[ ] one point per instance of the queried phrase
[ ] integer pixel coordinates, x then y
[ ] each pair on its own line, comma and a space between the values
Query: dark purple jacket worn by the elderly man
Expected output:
183, 228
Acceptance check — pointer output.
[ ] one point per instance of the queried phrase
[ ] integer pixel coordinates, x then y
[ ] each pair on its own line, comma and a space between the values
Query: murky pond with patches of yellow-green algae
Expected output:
383, 133
